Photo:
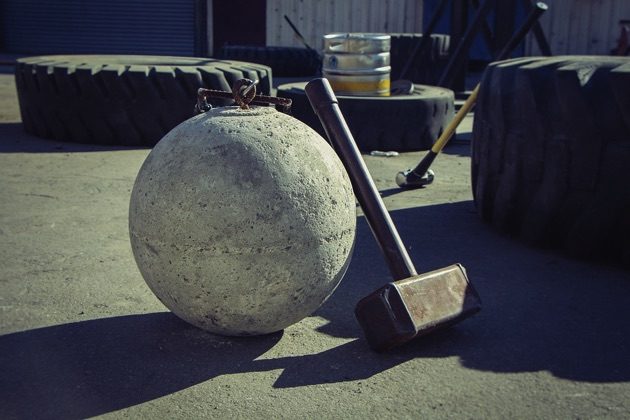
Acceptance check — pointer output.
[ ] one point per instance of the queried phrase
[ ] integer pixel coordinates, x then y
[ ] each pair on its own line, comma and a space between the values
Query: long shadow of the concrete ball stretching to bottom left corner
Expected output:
85, 369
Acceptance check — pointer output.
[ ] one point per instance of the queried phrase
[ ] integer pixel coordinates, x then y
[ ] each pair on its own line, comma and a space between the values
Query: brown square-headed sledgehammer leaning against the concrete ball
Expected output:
412, 305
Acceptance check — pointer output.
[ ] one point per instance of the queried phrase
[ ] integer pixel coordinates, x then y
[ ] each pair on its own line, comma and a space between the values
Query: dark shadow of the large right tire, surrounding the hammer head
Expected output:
541, 311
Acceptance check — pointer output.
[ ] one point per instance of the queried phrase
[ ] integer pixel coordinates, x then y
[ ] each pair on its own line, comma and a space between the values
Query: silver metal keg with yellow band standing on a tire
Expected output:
357, 63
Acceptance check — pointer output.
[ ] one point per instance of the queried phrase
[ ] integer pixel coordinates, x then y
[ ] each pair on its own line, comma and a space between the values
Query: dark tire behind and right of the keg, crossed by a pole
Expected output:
426, 68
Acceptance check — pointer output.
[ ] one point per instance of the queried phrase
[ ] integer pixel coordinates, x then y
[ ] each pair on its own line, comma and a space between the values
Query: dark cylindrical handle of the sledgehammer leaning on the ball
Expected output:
325, 105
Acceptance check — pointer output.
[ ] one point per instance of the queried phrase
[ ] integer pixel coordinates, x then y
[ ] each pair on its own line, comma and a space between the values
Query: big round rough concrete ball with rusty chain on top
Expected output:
242, 222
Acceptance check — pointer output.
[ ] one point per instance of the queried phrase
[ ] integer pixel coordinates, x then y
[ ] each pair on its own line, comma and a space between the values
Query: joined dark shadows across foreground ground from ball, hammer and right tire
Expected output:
542, 312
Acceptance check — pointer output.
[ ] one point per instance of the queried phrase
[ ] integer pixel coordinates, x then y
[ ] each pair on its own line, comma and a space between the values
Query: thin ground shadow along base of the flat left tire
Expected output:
15, 140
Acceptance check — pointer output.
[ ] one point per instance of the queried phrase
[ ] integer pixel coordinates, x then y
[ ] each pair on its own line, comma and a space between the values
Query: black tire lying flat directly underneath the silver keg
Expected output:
401, 123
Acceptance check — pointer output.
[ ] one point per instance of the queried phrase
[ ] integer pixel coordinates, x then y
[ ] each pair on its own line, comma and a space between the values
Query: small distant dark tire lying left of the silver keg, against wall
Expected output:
284, 61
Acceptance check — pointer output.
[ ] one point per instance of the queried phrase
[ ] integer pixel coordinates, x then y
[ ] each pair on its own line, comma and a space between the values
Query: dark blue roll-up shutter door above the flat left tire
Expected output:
166, 27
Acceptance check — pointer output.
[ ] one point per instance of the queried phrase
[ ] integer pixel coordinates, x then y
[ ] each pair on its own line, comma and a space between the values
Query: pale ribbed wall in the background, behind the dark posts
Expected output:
571, 26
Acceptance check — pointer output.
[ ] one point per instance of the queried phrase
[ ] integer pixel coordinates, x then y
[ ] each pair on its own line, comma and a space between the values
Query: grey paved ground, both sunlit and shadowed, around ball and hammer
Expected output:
83, 336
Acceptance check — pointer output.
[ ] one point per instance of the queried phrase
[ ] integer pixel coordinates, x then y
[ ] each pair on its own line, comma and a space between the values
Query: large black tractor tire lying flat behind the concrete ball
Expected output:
122, 100
